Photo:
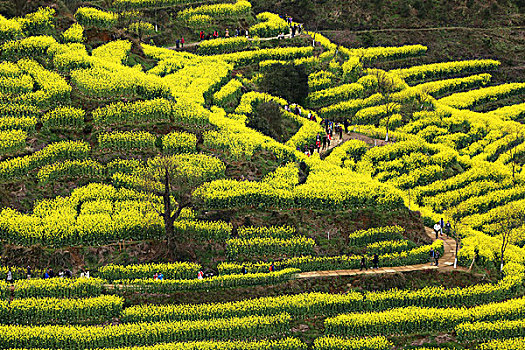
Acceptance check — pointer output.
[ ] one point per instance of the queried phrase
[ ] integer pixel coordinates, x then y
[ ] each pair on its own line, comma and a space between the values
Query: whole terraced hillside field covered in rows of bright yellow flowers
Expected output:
123, 142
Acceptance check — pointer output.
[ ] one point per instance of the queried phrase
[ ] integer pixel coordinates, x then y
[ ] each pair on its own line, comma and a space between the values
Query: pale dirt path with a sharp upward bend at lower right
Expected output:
446, 263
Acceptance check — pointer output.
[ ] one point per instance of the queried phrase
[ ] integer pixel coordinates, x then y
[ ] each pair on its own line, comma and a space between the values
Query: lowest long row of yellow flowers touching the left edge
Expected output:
82, 337
